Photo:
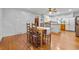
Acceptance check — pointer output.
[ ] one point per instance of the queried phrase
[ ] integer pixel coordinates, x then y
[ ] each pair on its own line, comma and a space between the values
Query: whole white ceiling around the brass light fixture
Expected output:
40, 11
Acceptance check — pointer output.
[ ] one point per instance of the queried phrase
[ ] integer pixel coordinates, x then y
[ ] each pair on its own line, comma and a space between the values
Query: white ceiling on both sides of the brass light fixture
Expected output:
45, 10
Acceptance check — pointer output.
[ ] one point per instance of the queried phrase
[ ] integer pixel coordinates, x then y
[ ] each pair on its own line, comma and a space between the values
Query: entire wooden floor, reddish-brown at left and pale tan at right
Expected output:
61, 41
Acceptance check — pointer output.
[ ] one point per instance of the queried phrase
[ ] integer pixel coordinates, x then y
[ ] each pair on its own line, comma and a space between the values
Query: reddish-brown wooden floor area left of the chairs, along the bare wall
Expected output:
15, 42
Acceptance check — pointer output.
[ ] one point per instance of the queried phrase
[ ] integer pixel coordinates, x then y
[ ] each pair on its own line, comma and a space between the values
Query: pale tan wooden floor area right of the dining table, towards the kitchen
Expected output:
64, 41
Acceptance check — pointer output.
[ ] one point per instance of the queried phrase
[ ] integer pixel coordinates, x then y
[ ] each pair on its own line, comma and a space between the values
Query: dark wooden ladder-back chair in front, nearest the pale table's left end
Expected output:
35, 36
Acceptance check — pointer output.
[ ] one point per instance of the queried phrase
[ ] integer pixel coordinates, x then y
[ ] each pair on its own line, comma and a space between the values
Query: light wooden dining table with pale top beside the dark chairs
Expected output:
44, 31
